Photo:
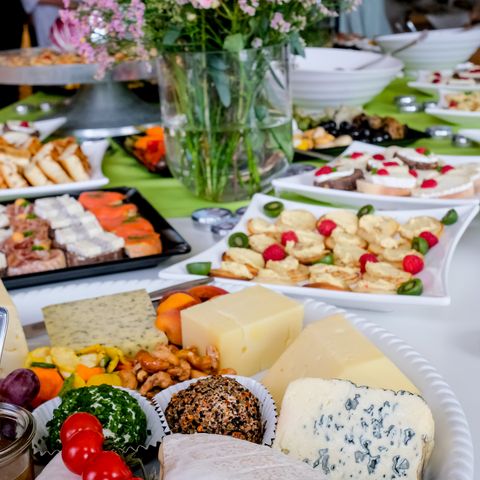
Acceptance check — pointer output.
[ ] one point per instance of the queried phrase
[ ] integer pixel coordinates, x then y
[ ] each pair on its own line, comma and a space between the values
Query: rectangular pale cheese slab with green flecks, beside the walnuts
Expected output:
125, 320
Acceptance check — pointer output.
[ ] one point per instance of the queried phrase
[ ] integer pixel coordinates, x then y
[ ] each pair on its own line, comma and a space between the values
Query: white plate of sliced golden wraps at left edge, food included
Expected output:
67, 167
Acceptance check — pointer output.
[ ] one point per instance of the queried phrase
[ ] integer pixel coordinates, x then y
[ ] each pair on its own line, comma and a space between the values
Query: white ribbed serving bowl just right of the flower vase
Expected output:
326, 77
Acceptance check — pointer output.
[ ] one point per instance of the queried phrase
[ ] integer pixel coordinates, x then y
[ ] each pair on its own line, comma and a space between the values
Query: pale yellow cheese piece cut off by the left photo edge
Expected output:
16, 349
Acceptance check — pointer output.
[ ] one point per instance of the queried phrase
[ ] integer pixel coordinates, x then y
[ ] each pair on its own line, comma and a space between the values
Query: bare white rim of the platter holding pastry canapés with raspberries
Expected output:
434, 276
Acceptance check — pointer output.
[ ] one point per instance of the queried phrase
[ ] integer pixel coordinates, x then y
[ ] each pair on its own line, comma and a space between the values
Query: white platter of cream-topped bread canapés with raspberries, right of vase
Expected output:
390, 198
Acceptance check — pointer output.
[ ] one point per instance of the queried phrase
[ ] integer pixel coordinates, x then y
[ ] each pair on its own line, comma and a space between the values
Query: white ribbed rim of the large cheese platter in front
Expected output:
453, 452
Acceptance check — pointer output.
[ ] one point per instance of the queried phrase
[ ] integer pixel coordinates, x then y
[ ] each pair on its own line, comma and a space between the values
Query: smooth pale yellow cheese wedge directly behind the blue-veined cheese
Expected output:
332, 348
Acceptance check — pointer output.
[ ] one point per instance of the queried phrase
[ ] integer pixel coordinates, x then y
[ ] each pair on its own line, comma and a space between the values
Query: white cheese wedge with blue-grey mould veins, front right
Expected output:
345, 431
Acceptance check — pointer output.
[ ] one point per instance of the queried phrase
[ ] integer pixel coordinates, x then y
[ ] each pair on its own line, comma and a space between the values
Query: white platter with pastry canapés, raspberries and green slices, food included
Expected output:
328, 262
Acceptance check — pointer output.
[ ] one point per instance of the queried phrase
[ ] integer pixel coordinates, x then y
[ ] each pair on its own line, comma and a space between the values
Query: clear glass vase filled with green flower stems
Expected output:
227, 119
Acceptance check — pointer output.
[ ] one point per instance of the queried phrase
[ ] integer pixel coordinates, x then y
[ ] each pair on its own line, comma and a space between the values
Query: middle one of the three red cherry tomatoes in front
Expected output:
80, 448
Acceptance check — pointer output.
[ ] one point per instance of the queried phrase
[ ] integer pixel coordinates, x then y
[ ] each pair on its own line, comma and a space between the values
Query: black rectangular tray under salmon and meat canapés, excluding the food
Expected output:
172, 242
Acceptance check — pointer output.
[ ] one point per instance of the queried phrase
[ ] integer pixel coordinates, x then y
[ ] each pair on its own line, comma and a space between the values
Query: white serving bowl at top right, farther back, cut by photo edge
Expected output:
441, 49
